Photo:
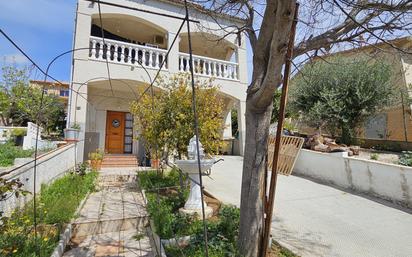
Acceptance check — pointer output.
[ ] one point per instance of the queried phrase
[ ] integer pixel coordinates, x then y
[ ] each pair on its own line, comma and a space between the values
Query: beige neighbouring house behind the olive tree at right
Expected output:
395, 122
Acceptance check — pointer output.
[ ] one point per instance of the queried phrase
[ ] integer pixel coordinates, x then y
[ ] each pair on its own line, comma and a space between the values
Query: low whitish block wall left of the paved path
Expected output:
49, 167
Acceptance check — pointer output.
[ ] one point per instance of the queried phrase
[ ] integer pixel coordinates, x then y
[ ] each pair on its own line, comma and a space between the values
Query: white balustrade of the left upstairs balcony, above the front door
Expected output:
131, 54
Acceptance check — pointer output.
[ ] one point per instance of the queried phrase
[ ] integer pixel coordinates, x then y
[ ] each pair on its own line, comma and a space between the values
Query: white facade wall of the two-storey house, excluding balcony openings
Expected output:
86, 70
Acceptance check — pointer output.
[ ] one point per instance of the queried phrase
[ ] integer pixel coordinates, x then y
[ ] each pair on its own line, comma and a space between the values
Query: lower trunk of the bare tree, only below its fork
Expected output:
252, 207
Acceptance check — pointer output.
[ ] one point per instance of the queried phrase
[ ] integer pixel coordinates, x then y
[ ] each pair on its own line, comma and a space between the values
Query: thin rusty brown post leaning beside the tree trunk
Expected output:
273, 178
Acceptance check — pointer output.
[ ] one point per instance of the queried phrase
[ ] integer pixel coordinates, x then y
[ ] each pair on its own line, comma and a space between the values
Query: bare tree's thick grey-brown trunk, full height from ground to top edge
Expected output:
268, 60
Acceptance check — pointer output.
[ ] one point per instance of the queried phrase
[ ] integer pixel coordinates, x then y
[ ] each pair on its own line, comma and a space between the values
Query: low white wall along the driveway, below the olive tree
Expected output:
388, 181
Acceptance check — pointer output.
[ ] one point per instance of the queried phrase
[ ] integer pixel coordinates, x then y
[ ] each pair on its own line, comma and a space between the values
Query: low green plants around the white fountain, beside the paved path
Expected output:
169, 223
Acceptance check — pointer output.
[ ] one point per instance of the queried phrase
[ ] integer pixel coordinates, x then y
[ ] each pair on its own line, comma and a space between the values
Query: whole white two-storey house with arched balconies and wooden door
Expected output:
137, 39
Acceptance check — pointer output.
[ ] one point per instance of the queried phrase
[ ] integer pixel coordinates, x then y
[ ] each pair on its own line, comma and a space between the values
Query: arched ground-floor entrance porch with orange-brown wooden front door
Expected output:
109, 124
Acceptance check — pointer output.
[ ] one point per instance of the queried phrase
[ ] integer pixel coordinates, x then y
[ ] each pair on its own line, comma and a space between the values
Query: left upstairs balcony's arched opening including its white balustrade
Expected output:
128, 40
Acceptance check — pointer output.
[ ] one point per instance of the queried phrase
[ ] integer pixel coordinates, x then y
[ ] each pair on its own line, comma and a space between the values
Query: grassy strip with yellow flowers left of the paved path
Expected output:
56, 206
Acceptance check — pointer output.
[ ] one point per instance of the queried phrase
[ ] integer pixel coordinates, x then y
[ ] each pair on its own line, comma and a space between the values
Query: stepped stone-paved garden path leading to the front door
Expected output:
113, 220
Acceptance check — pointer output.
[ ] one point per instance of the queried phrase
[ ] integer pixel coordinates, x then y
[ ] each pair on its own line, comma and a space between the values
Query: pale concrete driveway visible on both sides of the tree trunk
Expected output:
312, 219
